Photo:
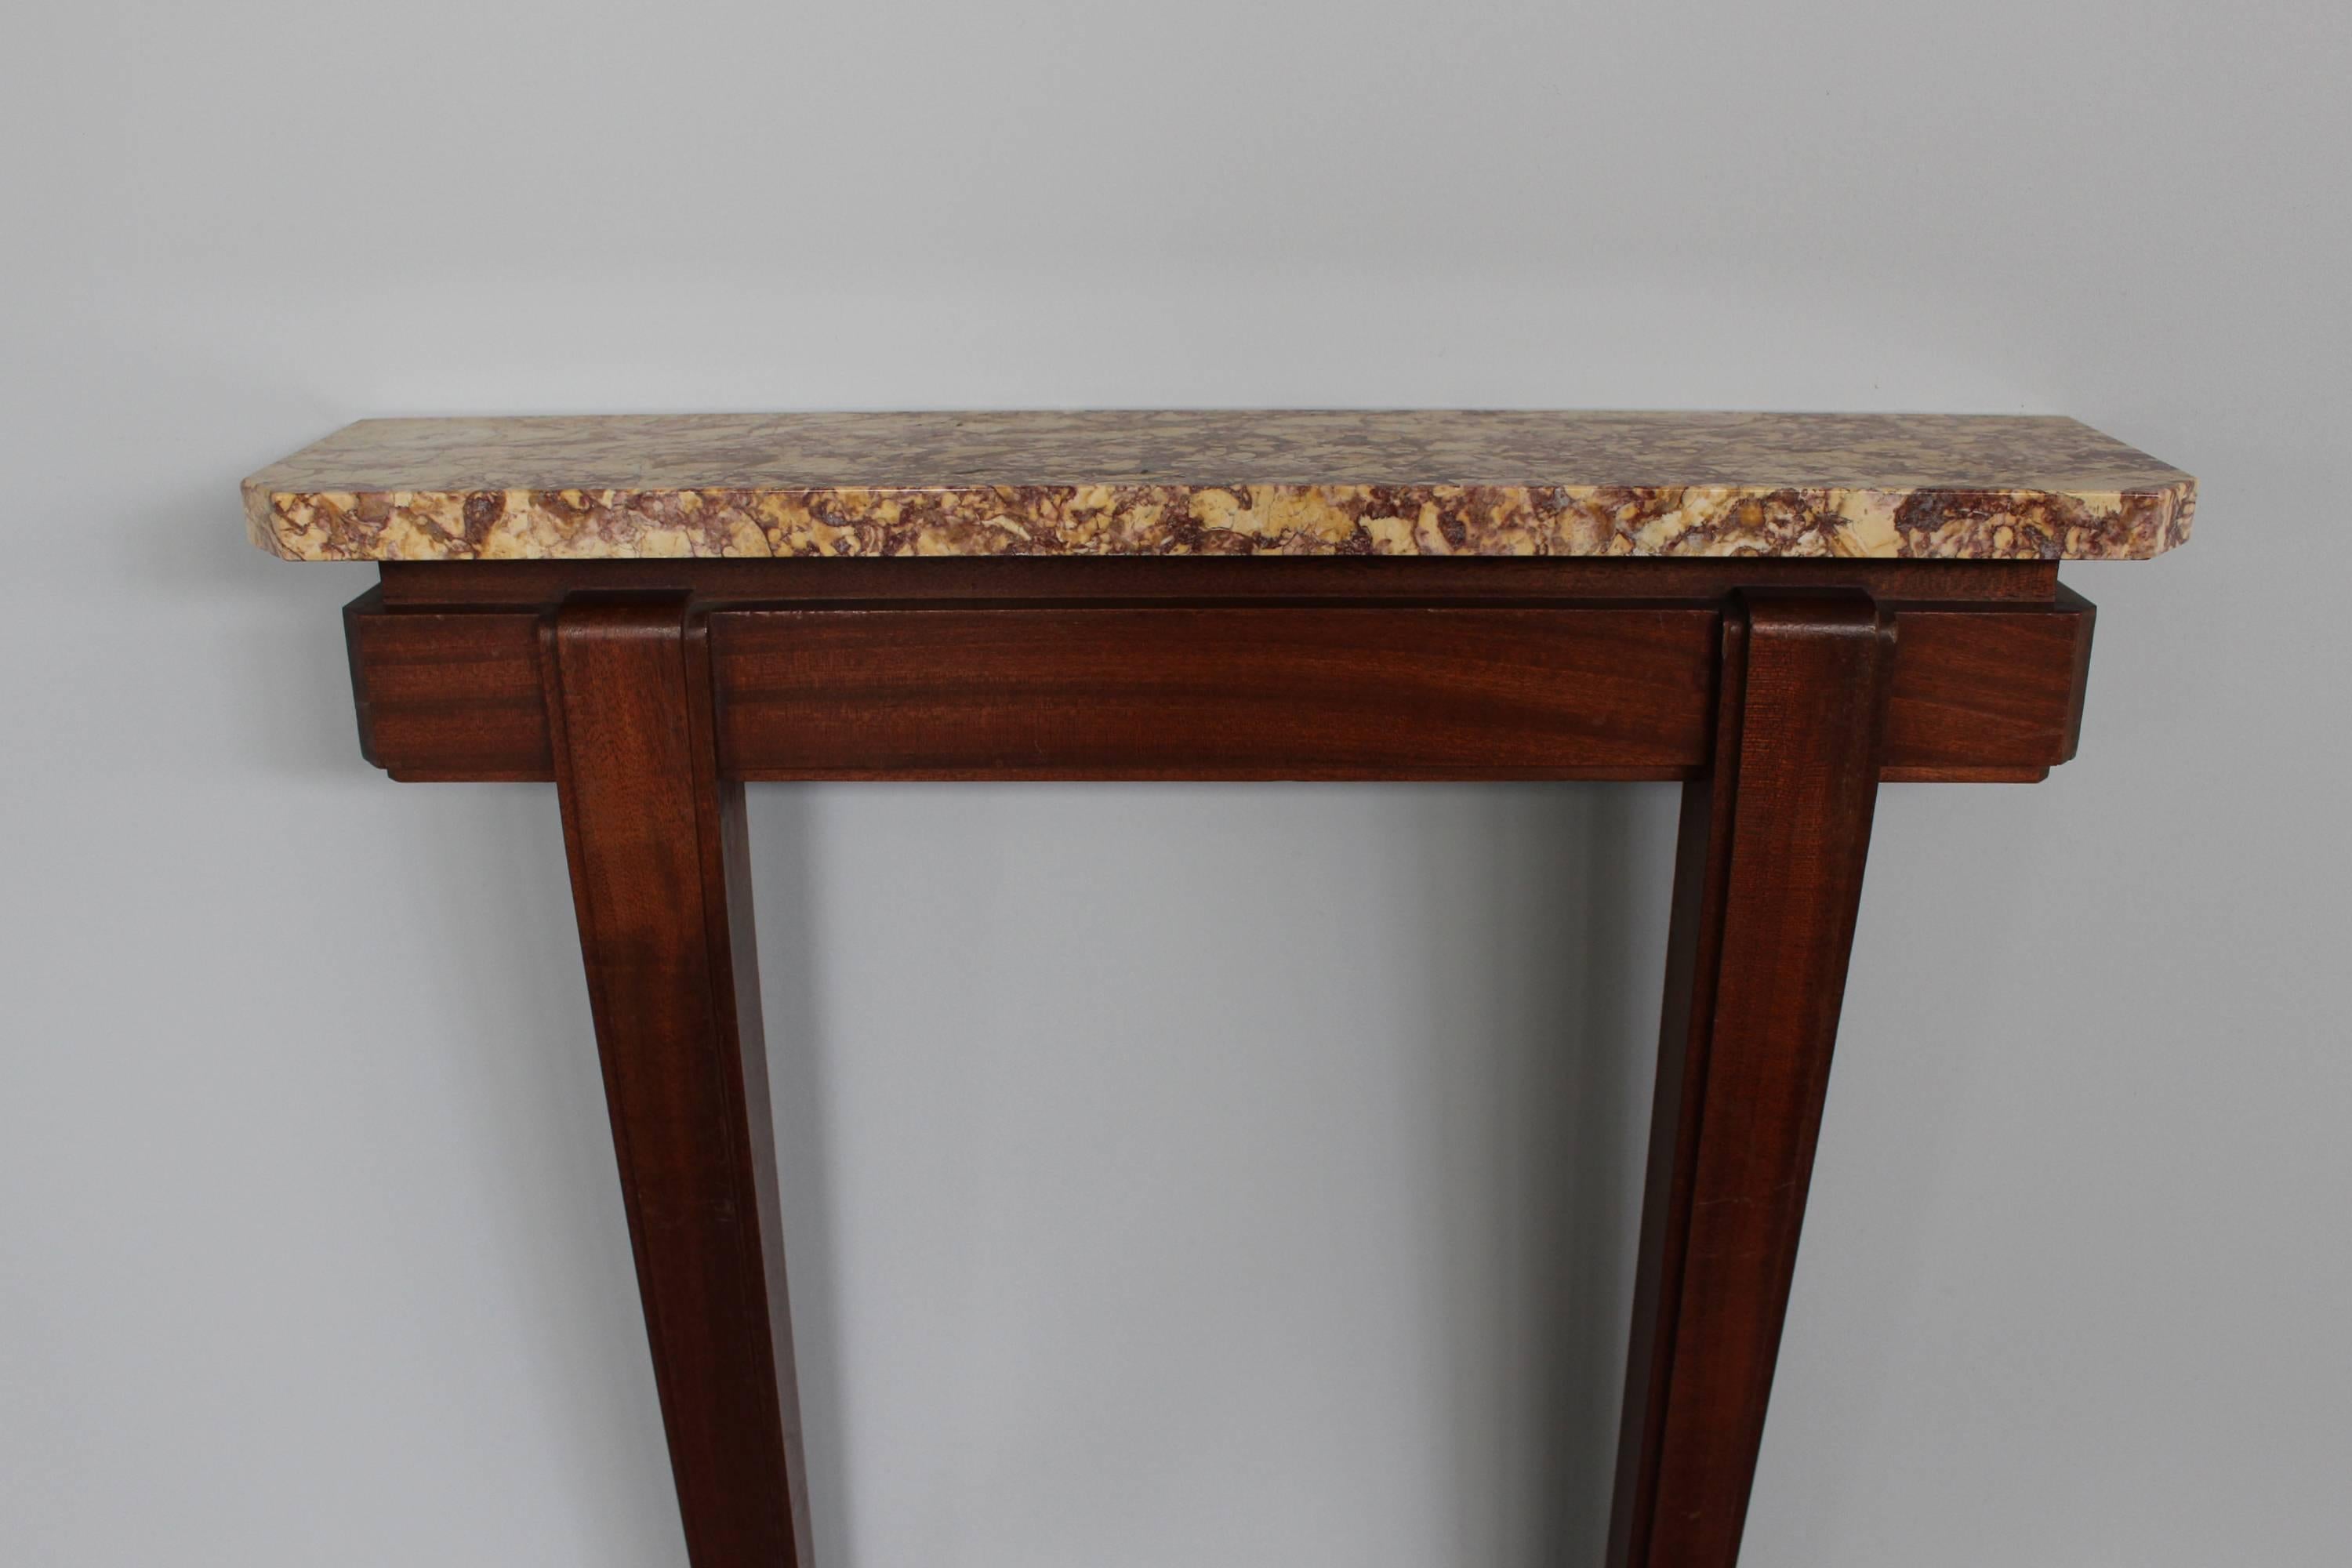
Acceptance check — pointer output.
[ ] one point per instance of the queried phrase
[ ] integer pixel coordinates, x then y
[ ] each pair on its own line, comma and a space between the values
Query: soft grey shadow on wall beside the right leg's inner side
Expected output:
1544, 1158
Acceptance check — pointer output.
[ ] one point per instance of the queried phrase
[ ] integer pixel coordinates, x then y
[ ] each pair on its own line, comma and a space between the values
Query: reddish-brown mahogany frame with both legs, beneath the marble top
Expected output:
1779, 692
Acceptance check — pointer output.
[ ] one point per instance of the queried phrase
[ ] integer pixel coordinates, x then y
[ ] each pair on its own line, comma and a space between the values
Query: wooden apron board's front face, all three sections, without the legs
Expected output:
1227, 692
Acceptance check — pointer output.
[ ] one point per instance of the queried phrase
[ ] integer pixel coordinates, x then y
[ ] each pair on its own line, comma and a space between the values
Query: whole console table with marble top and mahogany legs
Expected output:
1777, 610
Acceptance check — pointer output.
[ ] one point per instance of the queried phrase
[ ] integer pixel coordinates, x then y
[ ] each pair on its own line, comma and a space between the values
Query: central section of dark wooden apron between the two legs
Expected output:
1215, 692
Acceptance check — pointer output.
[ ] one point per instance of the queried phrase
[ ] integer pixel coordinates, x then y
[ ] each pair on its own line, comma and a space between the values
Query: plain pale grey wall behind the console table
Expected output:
1177, 1177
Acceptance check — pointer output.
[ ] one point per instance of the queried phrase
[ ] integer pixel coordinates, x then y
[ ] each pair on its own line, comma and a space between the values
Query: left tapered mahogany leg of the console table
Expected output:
664, 909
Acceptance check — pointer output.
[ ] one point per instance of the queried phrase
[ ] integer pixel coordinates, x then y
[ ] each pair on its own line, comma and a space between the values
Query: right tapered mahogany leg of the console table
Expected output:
1768, 883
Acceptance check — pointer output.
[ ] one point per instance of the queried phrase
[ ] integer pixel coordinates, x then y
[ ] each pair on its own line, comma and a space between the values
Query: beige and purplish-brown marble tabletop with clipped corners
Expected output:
1222, 483
